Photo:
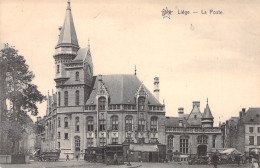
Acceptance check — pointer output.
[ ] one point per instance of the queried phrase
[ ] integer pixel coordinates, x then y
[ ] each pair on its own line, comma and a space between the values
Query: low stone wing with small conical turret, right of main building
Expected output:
193, 133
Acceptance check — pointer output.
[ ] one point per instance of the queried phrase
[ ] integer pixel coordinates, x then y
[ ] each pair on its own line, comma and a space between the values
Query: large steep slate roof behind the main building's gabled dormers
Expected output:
121, 89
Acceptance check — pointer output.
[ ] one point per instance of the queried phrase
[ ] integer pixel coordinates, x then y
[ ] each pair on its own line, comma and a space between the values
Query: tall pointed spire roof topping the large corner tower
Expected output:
68, 35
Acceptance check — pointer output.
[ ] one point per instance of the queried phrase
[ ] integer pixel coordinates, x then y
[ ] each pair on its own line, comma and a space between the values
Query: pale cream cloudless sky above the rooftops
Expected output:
196, 56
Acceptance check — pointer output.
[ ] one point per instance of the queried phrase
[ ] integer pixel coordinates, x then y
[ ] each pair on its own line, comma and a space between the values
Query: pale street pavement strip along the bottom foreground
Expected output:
82, 163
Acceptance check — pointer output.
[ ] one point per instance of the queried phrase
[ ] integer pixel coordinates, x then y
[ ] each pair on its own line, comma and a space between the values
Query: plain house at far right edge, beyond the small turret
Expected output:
243, 132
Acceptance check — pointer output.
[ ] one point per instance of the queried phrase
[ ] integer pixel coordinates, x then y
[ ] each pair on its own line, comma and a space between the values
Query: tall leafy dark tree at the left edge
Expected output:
16, 87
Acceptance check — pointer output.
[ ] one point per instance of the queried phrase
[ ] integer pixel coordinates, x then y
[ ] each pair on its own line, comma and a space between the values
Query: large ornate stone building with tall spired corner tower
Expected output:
92, 111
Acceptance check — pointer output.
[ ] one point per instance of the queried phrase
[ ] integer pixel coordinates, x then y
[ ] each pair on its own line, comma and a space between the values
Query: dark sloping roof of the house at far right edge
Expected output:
252, 116
